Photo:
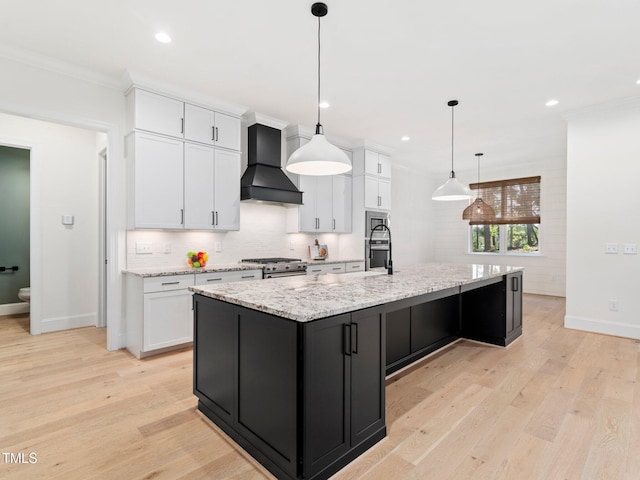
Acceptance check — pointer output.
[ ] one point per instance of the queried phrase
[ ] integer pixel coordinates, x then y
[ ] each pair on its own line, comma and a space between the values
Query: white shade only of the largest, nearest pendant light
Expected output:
318, 157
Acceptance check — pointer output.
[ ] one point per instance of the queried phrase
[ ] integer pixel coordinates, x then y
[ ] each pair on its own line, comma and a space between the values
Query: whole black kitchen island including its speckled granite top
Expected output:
293, 369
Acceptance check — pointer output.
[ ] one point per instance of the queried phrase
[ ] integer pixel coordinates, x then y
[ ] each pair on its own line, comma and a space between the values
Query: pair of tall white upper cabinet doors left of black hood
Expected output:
211, 193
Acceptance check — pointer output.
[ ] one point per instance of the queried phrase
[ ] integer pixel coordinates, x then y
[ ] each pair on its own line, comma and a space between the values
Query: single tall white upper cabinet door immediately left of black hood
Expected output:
226, 190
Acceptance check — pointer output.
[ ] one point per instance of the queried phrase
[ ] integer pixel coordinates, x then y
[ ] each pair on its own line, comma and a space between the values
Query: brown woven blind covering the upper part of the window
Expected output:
514, 201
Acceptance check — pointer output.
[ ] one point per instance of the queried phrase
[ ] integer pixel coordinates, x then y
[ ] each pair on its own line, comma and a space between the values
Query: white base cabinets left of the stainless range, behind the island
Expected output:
159, 311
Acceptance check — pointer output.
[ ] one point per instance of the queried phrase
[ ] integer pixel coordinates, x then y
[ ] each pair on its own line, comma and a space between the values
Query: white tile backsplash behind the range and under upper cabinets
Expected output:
263, 233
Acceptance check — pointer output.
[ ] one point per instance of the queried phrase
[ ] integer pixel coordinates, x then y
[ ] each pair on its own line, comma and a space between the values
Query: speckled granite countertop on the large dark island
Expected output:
310, 297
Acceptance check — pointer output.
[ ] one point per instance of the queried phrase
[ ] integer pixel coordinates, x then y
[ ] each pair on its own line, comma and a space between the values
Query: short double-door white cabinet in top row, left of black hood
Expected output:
213, 128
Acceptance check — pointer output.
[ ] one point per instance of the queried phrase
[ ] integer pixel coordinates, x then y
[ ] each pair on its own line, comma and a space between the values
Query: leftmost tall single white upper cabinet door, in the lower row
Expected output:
158, 184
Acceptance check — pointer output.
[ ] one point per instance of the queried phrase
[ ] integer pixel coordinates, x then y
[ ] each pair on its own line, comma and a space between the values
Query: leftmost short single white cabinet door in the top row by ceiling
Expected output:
159, 114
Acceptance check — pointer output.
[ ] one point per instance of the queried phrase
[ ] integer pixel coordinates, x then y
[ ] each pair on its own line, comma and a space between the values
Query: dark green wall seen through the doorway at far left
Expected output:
14, 221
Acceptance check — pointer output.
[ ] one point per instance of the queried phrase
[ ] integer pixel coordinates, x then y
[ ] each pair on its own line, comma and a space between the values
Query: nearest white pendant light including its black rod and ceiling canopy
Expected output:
318, 157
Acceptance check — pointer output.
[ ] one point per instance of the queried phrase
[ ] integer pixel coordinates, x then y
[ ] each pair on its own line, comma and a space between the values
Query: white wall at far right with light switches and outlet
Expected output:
603, 167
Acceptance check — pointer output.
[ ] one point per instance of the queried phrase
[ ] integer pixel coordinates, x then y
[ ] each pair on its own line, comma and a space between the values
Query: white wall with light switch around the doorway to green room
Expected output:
67, 173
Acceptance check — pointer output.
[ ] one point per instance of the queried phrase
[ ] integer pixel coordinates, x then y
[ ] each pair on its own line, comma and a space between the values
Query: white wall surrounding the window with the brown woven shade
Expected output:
545, 273
